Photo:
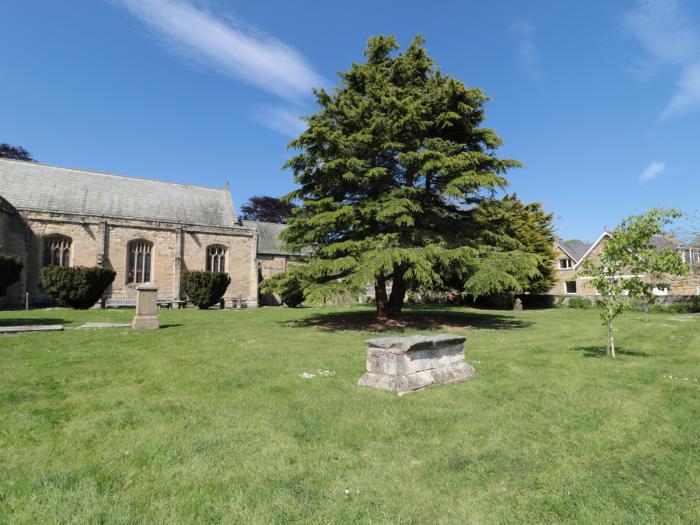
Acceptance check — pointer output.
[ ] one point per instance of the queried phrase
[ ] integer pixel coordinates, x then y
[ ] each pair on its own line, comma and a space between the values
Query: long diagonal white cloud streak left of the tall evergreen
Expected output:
243, 52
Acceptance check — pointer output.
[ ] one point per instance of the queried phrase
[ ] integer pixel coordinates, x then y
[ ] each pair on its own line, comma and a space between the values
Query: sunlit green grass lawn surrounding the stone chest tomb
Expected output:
208, 420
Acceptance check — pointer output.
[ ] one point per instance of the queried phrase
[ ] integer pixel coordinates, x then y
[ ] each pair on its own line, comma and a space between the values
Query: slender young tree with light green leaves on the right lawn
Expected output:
630, 266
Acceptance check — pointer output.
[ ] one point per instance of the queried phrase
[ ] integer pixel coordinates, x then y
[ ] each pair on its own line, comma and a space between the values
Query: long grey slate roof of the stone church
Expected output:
40, 187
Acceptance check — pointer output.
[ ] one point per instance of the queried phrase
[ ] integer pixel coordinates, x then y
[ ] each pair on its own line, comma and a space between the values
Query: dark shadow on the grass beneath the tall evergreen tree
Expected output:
450, 321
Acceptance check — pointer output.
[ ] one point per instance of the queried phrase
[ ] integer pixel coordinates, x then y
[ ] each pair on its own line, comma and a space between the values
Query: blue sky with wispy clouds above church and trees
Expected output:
601, 100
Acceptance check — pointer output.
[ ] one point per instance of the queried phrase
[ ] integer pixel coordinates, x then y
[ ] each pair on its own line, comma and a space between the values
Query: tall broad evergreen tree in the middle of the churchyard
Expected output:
390, 170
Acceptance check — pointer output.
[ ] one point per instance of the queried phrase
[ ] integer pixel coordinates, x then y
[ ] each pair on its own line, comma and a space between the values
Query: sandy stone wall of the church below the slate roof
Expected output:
103, 241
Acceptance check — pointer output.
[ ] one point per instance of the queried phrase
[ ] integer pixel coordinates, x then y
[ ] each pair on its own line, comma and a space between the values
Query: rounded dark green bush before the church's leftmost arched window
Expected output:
79, 287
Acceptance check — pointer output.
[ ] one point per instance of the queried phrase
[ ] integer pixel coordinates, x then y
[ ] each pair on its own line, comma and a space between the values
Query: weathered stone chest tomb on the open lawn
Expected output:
404, 364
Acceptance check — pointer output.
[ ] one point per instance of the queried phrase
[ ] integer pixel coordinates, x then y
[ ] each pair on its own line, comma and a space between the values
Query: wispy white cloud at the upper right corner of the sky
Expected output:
670, 40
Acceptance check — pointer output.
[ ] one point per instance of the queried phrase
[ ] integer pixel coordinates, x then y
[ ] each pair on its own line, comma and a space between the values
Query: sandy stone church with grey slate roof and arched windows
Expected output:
145, 230
